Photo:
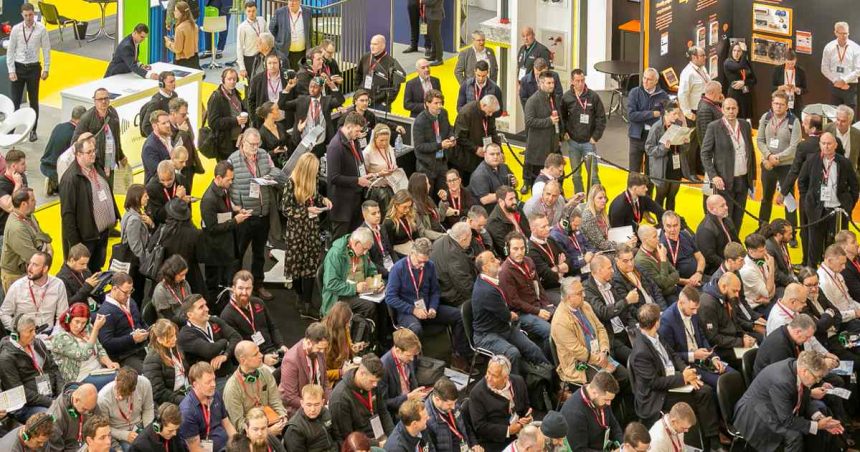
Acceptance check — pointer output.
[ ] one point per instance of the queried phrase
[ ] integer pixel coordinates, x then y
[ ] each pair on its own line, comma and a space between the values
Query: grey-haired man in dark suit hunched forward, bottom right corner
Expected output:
776, 411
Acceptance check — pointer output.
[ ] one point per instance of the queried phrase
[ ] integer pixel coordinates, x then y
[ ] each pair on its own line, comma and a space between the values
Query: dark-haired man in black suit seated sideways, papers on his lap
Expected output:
658, 370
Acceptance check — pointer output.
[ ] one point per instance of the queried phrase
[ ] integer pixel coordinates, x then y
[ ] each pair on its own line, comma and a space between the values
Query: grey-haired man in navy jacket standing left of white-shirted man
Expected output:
644, 108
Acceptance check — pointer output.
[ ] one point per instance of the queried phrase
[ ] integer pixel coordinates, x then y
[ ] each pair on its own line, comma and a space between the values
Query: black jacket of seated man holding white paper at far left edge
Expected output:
16, 369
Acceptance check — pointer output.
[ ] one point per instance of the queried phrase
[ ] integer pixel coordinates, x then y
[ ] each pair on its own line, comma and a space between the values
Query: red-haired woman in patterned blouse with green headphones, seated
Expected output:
80, 355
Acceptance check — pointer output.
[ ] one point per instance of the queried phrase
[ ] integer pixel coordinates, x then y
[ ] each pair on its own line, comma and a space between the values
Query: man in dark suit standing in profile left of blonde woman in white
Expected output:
346, 176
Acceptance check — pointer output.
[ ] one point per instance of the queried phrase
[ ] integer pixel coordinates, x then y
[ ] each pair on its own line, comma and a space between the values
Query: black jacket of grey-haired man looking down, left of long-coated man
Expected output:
469, 130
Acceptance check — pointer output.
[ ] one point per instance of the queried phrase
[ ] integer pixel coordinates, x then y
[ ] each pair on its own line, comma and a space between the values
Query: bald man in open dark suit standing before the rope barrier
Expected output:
728, 141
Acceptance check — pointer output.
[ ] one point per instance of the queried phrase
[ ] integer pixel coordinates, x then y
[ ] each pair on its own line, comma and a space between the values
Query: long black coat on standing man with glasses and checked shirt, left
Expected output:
76, 207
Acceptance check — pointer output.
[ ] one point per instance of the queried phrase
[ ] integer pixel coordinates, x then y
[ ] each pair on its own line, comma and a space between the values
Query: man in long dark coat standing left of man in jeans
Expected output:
543, 128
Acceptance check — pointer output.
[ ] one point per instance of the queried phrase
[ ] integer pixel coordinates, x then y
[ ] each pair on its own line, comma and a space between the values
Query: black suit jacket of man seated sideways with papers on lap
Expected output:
652, 384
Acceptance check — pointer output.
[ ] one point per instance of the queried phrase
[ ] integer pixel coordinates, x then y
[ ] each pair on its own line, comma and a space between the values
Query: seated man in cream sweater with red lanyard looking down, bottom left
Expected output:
127, 404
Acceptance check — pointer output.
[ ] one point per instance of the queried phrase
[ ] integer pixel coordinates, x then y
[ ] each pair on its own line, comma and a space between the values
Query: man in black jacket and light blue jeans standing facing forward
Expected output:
584, 122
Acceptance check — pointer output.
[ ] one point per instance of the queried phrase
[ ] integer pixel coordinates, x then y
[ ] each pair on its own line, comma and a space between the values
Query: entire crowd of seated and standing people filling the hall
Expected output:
612, 345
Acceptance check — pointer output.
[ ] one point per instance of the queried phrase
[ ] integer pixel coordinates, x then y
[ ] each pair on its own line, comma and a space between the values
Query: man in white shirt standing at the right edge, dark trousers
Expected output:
840, 63
